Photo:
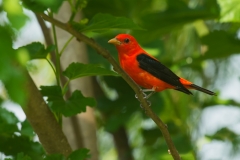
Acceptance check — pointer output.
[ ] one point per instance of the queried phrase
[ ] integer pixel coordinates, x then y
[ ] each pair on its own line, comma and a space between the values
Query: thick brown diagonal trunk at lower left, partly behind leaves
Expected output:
44, 123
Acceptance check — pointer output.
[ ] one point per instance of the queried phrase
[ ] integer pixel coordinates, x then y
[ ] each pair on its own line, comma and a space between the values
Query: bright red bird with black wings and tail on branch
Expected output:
146, 70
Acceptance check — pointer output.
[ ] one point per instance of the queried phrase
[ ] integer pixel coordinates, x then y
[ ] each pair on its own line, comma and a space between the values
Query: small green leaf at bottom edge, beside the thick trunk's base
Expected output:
80, 154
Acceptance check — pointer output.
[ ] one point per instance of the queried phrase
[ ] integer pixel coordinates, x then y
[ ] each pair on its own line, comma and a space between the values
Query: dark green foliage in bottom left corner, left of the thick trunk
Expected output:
13, 140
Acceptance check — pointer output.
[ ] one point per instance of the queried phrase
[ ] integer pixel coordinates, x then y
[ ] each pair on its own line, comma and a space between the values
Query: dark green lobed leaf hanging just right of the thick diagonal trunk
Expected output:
77, 103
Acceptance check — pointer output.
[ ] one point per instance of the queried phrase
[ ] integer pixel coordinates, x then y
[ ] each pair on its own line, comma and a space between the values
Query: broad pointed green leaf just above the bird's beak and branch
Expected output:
103, 22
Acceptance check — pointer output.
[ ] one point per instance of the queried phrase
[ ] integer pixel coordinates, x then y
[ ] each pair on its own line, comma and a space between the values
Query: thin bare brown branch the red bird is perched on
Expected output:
67, 27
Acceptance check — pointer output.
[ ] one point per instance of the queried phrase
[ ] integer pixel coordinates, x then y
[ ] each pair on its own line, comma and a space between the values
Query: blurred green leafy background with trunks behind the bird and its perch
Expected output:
197, 39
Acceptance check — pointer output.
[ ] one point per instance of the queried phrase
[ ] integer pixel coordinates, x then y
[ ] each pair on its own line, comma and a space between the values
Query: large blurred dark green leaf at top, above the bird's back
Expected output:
177, 14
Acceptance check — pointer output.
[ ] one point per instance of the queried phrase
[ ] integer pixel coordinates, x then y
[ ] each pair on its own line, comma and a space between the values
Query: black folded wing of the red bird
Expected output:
158, 70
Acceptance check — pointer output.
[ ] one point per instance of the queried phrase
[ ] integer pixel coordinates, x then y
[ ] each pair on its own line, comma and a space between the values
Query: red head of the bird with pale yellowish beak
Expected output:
125, 43
